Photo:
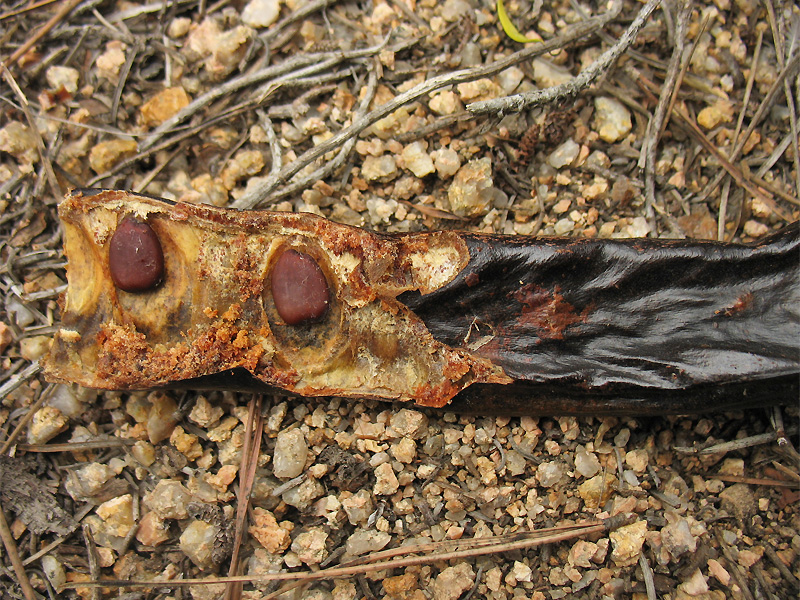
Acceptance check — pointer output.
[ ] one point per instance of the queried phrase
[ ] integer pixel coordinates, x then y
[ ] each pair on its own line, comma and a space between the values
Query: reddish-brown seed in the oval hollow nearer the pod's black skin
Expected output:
299, 288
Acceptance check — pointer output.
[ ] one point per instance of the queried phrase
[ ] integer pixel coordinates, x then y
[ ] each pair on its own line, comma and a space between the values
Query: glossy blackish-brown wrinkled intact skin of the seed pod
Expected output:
625, 326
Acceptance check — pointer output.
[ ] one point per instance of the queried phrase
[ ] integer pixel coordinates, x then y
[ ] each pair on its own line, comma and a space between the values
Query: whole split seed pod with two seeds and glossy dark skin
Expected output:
166, 294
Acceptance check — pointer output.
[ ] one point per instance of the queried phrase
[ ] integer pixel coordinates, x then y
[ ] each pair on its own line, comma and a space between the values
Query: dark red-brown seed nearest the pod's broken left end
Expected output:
135, 257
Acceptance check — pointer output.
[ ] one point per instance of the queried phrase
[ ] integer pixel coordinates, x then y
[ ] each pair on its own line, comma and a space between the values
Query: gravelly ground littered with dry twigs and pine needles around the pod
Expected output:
624, 120
